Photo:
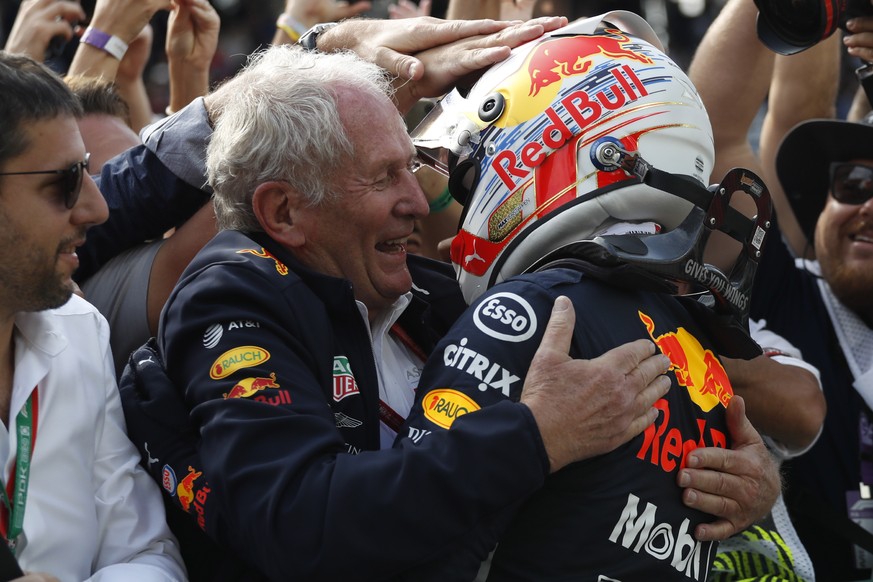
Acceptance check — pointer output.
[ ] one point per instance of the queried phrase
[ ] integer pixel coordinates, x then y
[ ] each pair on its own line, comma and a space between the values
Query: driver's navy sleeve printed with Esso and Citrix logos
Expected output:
479, 364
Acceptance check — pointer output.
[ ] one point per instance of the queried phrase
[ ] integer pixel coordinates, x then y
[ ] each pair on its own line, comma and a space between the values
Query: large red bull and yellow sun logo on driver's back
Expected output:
696, 368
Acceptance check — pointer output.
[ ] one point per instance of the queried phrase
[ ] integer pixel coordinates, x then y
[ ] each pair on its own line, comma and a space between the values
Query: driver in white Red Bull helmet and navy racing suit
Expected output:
582, 162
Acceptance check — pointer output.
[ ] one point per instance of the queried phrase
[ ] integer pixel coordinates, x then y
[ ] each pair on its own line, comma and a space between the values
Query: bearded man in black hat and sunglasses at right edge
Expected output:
825, 307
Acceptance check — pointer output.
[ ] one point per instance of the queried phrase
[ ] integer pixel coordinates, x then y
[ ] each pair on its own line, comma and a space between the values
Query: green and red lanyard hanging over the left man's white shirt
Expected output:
16, 488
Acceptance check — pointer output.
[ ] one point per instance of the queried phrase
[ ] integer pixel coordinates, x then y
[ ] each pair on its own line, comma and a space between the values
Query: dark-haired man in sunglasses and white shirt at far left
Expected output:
74, 502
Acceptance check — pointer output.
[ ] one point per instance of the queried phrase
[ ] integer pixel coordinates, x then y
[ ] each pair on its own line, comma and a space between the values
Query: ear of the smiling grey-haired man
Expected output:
278, 206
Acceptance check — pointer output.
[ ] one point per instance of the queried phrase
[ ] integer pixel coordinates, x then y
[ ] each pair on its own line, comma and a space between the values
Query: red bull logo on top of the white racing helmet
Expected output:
557, 58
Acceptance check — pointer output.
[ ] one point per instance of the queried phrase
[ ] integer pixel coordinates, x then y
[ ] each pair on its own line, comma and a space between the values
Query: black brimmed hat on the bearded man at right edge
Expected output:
804, 158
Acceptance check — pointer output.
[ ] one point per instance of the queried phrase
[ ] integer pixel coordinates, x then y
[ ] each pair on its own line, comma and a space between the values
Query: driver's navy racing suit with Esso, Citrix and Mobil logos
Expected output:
618, 516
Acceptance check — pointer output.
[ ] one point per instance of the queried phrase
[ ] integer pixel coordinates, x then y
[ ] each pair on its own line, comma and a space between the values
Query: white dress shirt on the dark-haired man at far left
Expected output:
92, 513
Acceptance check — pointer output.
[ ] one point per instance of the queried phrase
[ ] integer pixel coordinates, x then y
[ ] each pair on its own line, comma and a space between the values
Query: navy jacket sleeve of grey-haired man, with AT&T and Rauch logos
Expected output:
291, 499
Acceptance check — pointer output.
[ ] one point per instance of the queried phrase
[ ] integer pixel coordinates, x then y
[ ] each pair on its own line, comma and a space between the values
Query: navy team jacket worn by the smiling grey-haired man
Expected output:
275, 366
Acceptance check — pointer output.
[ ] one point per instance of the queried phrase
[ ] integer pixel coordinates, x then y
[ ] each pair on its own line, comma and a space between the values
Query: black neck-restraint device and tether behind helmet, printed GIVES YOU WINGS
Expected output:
678, 255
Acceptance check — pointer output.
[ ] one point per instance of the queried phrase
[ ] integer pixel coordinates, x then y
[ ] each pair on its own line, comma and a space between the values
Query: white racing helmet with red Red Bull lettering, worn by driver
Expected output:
588, 142
